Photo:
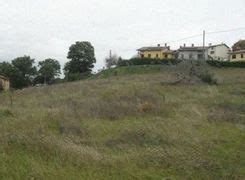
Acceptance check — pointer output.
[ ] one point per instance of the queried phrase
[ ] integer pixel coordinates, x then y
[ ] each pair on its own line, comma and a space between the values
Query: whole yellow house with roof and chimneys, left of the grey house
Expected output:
159, 52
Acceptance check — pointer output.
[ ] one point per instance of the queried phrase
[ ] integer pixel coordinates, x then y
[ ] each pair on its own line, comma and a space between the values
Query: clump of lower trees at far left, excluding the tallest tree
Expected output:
22, 72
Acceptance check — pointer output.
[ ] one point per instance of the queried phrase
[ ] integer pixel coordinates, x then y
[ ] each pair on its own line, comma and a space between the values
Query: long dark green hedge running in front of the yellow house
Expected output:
147, 61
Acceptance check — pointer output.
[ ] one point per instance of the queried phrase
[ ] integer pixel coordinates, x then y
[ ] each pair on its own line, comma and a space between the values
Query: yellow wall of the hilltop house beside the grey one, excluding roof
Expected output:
156, 54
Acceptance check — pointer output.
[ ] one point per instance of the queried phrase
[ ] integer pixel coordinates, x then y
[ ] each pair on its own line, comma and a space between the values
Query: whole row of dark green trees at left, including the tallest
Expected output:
22, 71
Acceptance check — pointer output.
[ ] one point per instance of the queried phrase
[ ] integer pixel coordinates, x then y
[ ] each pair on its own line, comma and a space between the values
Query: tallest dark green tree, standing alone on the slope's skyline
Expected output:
82, 59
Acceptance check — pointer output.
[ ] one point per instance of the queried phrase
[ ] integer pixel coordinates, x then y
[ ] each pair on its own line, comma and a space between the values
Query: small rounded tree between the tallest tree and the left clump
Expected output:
49, 69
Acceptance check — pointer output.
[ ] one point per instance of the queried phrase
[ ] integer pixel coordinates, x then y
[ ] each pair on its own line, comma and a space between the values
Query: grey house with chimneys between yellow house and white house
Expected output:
192, 53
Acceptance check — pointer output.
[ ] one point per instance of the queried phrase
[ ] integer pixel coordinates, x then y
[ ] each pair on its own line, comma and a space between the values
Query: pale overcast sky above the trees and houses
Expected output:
46, 28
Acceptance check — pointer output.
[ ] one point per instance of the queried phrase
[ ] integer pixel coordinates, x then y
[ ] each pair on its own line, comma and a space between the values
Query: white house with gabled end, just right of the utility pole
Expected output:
219, 52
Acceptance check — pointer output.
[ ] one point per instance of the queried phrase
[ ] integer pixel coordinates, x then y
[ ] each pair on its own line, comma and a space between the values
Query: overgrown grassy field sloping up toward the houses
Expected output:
127, 123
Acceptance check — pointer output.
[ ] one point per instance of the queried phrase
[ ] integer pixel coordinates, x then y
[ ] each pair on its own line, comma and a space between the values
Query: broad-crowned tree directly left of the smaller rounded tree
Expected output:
26, 68
